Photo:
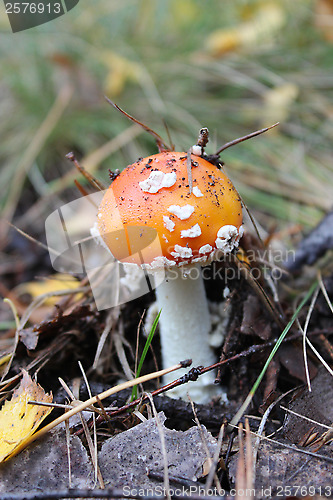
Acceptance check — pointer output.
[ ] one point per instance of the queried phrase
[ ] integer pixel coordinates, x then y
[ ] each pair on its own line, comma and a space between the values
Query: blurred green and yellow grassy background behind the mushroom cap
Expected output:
233, 66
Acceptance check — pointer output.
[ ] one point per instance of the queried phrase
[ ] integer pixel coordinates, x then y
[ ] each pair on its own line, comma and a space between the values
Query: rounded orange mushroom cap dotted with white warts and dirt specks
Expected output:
148, 215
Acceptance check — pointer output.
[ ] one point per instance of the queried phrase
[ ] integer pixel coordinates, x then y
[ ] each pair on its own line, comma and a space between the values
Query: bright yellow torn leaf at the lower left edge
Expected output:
18, 419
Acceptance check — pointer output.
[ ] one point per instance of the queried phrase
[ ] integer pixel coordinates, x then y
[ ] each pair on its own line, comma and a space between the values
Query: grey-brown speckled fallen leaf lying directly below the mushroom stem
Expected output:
125, 458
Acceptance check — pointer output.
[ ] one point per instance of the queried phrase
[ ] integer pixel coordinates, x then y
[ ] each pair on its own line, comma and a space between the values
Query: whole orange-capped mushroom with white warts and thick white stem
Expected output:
195, 226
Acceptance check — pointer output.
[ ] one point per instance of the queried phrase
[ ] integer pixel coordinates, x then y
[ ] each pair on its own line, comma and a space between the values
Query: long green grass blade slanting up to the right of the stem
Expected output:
249, 397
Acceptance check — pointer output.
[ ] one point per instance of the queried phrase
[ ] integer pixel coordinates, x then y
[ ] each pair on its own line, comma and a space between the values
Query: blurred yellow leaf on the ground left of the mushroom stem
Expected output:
54, 283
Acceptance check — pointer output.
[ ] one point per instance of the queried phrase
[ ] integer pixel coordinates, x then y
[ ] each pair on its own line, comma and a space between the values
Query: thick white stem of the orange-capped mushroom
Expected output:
184, 331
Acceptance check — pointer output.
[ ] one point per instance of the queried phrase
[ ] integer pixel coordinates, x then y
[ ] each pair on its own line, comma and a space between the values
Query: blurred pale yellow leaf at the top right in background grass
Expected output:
269, 18
